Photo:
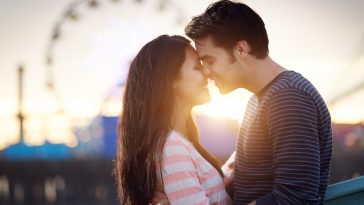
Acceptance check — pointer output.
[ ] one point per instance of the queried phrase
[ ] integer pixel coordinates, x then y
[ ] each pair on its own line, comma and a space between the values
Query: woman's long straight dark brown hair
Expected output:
146, 118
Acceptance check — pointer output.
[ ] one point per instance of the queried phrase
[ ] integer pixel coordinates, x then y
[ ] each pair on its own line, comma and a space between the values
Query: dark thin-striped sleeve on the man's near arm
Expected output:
291, 121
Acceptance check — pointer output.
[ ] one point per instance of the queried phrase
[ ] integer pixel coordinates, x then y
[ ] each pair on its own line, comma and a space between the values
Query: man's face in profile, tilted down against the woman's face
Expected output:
219, 64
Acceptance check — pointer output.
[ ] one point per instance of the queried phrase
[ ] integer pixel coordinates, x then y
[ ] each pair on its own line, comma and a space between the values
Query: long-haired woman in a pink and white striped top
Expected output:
160, 159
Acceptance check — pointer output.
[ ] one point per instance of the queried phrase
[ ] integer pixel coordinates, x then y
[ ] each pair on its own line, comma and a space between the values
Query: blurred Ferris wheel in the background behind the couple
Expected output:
91, 46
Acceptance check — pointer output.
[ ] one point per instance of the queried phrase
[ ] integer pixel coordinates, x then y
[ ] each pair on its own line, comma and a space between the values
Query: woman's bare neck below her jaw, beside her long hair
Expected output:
180, 118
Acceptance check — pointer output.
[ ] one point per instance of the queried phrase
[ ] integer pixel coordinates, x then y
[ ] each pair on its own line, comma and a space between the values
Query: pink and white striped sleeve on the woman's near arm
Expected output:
180, 178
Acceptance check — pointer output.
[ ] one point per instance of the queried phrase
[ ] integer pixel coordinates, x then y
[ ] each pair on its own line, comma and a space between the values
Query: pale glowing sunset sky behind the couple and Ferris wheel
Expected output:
323, 40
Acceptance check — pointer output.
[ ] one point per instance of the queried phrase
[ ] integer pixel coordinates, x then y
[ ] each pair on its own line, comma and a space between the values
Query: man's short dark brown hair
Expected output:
228, 22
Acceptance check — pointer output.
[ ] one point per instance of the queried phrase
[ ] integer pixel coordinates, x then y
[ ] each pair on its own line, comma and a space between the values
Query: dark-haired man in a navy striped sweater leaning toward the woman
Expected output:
284, 146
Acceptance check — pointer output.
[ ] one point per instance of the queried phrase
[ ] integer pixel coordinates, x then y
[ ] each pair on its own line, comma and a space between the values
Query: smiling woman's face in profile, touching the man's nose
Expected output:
191, 83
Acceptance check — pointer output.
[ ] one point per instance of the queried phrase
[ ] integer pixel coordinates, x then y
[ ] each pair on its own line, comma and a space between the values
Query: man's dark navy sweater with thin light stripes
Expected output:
284, 145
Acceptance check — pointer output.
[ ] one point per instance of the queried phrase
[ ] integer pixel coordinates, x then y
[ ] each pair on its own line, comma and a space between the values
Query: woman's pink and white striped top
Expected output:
185, 177
